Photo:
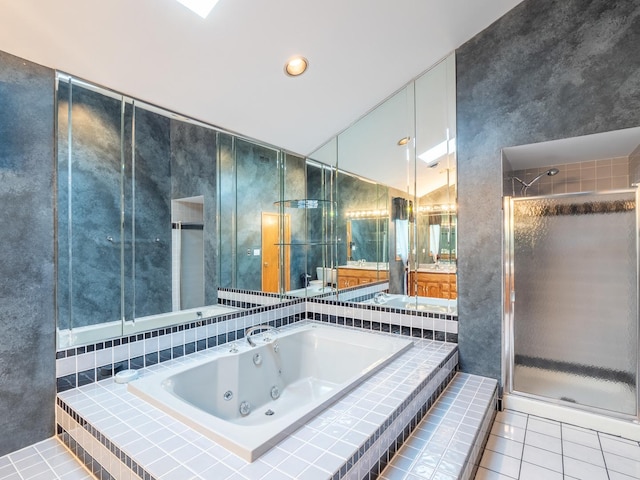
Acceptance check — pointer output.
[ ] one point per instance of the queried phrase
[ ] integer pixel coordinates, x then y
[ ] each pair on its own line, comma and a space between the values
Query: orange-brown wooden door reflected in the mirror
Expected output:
271, 252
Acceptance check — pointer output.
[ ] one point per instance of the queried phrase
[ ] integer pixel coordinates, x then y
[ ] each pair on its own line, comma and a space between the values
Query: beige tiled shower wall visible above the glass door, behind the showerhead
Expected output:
596, 175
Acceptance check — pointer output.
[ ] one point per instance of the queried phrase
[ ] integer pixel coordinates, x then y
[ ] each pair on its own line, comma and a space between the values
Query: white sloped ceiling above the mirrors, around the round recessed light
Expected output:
227, 70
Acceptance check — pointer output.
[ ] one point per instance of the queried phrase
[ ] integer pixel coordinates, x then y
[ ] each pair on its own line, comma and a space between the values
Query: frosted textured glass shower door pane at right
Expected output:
574, 299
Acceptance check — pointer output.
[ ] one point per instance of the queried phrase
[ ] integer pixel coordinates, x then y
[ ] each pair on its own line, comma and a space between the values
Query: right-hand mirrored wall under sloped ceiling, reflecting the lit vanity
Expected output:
396, 191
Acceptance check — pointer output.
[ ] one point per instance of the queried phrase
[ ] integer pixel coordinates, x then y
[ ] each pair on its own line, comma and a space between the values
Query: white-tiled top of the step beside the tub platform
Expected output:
448, 442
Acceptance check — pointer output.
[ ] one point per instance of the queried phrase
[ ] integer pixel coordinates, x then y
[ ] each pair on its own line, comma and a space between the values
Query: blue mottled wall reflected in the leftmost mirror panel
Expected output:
89, 265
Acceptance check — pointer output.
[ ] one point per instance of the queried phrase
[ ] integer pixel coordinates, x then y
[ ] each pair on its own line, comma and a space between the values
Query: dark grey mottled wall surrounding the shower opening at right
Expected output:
548, 69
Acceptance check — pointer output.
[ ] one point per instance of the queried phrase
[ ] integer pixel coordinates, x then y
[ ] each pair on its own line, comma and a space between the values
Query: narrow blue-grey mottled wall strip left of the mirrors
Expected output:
27, 317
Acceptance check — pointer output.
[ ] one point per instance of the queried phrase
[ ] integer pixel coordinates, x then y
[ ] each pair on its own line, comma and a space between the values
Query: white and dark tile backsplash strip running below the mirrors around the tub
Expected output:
86, 364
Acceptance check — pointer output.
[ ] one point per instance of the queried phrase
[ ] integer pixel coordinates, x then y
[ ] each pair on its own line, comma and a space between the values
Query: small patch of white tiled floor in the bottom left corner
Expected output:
46, 460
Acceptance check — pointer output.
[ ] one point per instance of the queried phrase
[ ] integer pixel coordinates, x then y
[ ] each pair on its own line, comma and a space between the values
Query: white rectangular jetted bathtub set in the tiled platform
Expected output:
312, 365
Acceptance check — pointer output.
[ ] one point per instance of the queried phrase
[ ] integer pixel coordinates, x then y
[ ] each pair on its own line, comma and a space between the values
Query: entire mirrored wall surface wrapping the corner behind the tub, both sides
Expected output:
158, 212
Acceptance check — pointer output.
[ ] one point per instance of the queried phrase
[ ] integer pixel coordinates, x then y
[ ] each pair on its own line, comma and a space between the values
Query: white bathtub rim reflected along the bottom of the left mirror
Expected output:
102, 331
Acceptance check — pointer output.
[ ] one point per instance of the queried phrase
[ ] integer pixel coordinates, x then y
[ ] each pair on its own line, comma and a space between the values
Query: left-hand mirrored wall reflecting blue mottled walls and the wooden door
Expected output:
157, 212
